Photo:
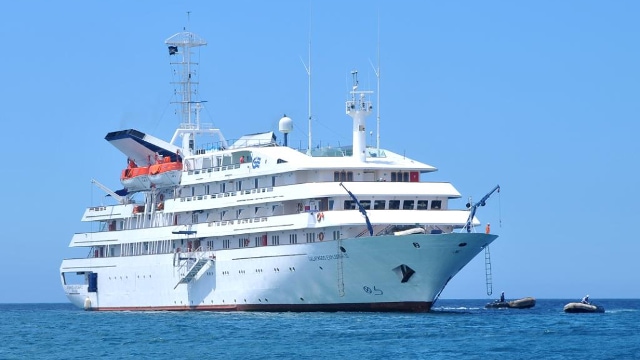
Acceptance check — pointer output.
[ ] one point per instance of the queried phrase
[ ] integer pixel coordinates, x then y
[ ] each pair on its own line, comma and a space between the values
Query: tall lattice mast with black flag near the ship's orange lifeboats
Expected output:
180, 48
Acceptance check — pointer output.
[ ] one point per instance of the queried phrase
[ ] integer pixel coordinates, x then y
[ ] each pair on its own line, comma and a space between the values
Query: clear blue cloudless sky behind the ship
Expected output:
541, 97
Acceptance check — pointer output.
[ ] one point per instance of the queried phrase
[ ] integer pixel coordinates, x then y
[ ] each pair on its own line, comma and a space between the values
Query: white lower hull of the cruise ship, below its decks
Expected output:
366, 276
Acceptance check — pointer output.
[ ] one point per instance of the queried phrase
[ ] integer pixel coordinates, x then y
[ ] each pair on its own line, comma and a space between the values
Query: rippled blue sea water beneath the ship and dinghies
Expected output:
454, 329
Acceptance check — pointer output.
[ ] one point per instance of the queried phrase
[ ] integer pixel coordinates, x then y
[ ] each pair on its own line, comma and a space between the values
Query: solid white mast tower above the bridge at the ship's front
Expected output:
359, 107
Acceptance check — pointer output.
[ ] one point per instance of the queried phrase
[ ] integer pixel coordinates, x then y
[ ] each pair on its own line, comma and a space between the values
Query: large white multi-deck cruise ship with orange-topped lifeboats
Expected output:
203, 223
